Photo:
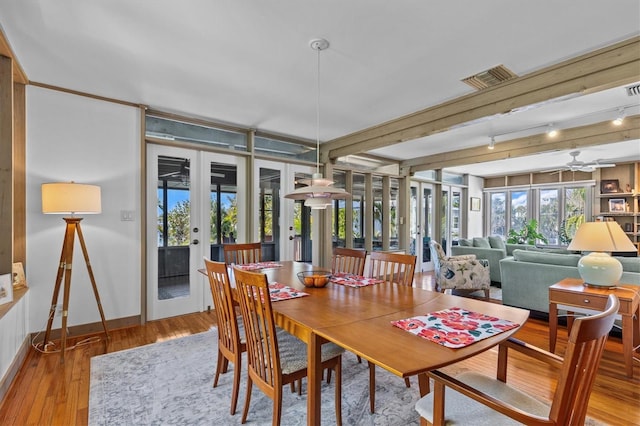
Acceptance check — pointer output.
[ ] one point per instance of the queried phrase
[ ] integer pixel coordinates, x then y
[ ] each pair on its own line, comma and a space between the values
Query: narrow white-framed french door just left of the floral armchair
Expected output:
421, 224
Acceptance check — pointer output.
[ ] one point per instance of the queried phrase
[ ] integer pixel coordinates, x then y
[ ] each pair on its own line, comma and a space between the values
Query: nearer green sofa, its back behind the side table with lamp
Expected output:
527, 276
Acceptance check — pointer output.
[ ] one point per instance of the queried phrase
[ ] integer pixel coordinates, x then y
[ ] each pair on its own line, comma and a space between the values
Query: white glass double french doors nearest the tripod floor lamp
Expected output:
195, 200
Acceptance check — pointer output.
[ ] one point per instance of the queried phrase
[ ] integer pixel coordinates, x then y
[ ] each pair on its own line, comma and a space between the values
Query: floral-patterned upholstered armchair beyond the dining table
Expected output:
461, 273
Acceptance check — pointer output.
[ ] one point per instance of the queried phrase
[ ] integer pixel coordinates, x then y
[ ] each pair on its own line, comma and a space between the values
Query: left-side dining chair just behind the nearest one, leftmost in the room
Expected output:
231, 336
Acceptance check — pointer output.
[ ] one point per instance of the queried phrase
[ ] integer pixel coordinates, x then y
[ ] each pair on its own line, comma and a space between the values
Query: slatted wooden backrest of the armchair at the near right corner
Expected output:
581, 361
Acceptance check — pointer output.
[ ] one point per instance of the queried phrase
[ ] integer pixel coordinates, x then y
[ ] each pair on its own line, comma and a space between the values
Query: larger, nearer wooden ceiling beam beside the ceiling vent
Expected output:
602, 69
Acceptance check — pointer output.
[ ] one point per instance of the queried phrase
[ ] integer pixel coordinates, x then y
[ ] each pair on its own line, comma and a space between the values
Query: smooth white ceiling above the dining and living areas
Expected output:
249, 63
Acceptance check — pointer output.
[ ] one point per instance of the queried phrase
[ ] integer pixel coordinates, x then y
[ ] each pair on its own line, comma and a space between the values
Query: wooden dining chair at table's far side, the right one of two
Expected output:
397, 268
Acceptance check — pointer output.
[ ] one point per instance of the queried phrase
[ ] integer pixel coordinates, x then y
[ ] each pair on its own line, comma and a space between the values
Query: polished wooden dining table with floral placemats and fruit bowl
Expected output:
359, 319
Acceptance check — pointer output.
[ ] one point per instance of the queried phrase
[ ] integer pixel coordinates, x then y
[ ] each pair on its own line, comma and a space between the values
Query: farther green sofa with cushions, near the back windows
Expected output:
491, 248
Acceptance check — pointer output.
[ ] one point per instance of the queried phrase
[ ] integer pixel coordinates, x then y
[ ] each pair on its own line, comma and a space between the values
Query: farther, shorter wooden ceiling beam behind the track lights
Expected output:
593, 134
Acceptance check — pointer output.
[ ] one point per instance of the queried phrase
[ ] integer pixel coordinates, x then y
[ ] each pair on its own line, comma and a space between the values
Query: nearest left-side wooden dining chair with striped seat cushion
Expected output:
275, 357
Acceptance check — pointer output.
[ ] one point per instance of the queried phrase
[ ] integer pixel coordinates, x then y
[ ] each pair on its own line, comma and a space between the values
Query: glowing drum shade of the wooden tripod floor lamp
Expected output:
70, 197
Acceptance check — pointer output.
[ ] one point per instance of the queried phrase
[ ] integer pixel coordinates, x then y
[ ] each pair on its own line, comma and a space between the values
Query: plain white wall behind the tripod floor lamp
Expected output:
75, 138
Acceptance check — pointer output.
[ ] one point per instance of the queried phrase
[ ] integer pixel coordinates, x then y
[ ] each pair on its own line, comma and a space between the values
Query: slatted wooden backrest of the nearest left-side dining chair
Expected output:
263, 355
